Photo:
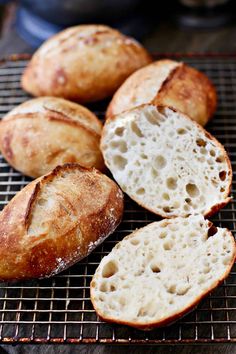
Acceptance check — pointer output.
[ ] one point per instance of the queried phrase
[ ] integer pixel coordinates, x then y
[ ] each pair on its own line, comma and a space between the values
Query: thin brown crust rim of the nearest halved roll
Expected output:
174, 318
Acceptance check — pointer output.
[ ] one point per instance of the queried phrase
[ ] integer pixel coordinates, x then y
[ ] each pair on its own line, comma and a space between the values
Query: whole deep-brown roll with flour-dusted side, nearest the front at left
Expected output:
56, 220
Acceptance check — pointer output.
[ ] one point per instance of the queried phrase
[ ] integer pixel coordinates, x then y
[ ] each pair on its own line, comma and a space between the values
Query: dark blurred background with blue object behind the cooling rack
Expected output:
163, 26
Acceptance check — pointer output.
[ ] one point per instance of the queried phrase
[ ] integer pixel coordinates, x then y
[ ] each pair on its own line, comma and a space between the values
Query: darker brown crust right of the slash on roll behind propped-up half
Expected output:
190, 92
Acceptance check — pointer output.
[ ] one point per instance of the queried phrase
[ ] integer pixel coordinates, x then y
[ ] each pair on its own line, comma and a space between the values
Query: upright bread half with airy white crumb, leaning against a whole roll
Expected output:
166, 162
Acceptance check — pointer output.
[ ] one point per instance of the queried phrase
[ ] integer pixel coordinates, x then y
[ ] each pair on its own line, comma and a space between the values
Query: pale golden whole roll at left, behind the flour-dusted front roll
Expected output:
45, 132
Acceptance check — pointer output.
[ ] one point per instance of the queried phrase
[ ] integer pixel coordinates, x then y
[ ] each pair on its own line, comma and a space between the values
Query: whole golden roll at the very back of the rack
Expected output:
83, 63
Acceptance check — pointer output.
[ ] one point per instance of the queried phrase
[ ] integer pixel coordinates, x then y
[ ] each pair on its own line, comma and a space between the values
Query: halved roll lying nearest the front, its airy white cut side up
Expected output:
161, 271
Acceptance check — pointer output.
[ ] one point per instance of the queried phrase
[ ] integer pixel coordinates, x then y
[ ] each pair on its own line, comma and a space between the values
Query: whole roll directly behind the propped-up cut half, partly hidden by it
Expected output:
169, 83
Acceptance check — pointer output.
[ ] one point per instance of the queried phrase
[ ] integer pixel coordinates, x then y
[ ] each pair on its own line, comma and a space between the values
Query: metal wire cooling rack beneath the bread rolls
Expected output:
58, 310
